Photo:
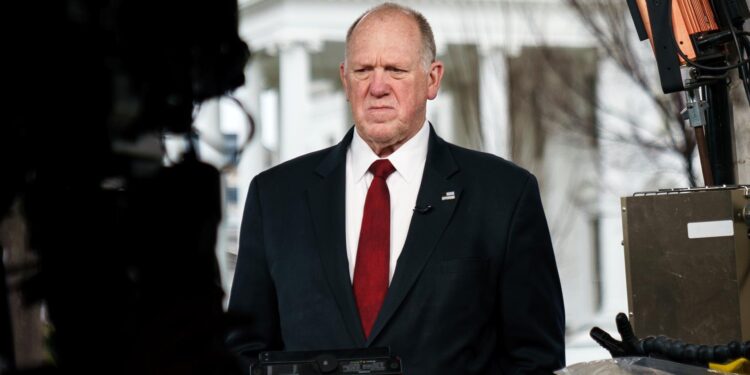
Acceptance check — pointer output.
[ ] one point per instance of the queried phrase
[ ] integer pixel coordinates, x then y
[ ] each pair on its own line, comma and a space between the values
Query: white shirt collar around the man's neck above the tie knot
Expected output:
408, 159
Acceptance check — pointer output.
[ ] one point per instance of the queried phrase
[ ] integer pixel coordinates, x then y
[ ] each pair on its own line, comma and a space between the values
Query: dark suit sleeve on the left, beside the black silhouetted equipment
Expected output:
252, 301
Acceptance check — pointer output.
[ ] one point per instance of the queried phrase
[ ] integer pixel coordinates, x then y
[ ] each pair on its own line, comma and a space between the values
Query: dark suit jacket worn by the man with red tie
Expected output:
475, 291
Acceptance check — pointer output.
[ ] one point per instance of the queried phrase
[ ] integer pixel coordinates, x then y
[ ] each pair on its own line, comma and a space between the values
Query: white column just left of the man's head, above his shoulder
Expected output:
294, 90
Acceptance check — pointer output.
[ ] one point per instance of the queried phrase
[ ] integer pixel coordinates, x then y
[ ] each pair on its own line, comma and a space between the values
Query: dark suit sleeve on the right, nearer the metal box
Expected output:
532, 317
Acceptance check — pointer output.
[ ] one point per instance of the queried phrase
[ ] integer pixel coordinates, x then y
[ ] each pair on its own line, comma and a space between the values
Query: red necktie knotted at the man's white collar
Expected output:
373, 252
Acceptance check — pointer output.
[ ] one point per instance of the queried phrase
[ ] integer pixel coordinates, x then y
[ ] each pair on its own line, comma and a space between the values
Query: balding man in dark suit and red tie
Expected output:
441, 253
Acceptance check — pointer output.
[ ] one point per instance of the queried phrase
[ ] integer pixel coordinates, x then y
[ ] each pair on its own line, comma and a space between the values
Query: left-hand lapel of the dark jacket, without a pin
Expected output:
327, 201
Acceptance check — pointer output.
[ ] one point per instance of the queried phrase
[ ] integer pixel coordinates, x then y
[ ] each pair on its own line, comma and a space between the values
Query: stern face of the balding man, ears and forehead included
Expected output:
386, 81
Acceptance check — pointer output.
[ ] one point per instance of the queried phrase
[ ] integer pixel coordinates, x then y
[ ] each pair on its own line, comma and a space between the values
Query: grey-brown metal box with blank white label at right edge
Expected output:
687, 259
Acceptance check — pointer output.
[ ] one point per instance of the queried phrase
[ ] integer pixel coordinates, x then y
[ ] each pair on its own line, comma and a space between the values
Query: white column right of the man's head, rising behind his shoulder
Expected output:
494, 100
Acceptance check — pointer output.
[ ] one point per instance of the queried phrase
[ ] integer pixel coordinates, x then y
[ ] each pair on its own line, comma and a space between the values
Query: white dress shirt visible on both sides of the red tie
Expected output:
403, 187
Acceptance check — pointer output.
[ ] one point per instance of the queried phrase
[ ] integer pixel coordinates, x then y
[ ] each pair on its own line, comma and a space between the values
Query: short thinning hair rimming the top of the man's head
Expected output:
387, 10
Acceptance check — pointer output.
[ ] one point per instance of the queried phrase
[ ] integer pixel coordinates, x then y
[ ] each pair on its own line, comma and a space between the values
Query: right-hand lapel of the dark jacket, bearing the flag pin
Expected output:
425, 229
